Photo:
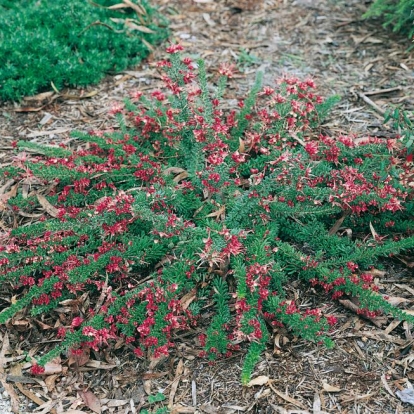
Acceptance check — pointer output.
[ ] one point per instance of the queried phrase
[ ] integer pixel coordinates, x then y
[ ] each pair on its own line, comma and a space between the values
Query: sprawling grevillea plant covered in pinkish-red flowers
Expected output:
185, 205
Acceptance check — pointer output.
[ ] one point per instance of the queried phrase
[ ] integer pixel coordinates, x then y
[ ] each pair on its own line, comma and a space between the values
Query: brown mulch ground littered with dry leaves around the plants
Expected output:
370, 364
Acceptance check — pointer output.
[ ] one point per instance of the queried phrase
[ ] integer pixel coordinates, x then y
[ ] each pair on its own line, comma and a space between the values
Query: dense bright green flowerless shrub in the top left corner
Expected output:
71, 43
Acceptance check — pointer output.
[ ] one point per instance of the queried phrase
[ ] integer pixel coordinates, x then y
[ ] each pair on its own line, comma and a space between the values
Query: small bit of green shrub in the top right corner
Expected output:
399, 14
